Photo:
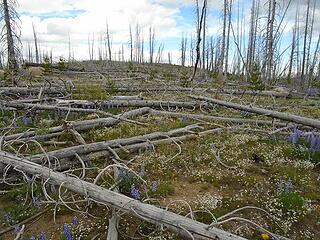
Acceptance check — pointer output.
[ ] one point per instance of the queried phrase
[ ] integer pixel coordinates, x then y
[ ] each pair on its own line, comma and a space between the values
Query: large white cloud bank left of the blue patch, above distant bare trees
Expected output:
53, 32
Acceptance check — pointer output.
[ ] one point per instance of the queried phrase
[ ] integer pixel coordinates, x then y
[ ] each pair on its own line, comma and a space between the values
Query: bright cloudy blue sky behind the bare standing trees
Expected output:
56, 21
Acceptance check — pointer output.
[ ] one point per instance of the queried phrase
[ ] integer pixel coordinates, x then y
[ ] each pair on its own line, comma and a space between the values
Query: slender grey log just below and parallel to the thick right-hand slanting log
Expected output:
214, 118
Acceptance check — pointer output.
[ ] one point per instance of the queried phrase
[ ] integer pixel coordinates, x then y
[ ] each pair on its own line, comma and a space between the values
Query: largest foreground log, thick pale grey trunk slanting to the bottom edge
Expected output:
174, 222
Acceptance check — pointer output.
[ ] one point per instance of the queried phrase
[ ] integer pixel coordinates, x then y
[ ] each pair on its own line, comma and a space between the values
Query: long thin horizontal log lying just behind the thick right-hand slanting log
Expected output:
208, 90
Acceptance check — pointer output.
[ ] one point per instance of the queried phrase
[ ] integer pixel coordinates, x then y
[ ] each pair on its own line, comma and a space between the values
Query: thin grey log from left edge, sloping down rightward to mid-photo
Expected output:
66, 109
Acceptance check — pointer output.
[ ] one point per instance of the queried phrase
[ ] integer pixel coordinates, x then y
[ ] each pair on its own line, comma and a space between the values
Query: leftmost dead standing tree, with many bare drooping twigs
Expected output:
10, 34
